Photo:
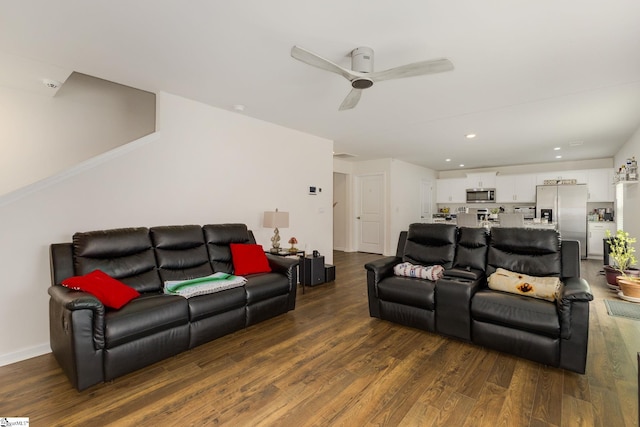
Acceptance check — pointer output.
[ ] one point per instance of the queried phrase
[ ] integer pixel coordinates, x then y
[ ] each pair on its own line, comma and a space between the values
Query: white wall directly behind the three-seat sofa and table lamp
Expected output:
205, 165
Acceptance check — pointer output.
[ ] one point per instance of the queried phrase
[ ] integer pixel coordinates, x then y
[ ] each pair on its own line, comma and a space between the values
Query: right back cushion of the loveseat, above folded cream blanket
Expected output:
530, 251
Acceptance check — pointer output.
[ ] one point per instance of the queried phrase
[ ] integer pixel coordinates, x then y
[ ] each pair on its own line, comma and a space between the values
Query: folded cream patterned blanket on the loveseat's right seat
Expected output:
546, 288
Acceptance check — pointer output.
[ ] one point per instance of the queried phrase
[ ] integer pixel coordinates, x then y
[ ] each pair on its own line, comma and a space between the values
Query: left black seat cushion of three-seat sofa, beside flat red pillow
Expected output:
145, 316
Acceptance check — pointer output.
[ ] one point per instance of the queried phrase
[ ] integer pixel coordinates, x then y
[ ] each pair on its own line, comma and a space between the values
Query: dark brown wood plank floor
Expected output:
328, 364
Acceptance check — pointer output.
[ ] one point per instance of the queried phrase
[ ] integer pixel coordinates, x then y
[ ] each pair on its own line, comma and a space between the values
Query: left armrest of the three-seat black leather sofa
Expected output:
76, 335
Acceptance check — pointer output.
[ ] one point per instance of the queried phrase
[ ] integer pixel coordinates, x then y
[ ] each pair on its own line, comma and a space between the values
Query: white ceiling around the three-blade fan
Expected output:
529, 76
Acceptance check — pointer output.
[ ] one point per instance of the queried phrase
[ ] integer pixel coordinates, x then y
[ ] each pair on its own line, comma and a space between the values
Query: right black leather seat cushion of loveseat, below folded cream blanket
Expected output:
515, 311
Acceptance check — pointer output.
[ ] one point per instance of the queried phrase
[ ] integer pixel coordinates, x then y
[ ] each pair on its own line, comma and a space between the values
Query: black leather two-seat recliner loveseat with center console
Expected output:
461, 305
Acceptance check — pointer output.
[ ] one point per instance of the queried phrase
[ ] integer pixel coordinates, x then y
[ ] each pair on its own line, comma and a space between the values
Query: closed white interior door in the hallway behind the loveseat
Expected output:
371, 214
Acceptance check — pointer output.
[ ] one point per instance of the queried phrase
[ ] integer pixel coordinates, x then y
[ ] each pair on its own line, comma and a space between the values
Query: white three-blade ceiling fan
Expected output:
362, 75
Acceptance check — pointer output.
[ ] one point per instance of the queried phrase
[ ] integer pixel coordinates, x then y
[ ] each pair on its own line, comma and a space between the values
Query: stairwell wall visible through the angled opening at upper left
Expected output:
42, 135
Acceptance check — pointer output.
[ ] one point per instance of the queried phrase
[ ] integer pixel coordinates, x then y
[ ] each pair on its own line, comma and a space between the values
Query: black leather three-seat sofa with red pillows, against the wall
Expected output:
93, 344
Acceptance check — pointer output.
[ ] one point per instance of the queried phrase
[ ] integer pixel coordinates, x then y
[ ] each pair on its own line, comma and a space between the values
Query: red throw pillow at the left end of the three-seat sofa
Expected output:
111, 292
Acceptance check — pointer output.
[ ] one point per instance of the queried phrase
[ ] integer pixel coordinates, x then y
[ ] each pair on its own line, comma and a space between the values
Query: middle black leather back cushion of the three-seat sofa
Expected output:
180, 252
